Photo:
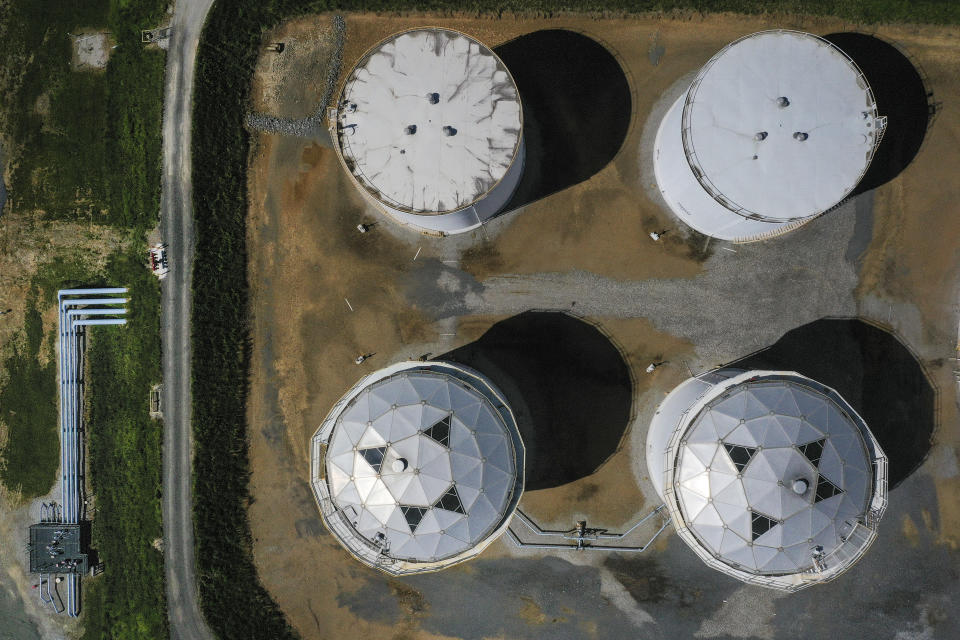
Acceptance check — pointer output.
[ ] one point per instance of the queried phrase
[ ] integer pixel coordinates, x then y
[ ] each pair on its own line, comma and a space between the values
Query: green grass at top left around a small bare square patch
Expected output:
82, 144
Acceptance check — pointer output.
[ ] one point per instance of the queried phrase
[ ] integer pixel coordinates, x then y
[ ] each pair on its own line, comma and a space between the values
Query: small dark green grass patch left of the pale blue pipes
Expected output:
28, 406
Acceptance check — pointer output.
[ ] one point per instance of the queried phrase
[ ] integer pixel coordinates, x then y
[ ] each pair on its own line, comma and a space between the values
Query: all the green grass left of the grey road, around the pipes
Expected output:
85, 145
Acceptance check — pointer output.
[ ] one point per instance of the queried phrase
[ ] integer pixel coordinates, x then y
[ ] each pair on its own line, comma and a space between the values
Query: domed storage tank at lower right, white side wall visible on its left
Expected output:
769, 476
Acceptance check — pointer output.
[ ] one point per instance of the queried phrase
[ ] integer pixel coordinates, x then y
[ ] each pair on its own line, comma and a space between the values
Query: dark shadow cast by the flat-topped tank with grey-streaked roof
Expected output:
576, 109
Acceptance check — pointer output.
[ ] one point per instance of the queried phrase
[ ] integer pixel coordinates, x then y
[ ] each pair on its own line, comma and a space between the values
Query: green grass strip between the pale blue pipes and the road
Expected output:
125, 454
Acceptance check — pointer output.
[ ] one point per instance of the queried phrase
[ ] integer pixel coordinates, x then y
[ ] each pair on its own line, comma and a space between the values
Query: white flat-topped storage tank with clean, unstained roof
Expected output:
777, 128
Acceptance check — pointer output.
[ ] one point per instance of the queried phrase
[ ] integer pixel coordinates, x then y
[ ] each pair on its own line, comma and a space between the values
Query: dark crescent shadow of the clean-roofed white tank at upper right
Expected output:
902, 96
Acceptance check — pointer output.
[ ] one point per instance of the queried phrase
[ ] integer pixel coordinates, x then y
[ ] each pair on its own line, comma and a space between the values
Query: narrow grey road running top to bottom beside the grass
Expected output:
176, 219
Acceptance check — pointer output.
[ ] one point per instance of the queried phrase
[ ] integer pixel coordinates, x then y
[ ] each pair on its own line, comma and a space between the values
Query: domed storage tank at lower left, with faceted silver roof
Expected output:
418, 467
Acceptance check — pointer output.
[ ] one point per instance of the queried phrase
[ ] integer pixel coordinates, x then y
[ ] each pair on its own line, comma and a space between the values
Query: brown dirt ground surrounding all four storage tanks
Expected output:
323, 293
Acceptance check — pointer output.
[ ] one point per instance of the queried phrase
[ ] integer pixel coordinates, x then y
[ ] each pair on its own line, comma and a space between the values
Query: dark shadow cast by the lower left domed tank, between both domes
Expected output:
568, 385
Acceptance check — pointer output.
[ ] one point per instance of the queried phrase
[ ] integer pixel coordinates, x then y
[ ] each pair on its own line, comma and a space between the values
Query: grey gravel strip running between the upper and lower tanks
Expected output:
746, 298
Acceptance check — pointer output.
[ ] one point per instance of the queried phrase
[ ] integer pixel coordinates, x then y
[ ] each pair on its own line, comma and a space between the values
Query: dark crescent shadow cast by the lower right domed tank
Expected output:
875, 372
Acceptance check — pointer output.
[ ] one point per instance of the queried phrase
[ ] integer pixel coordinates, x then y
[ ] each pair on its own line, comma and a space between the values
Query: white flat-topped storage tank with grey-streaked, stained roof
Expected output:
429, 126
